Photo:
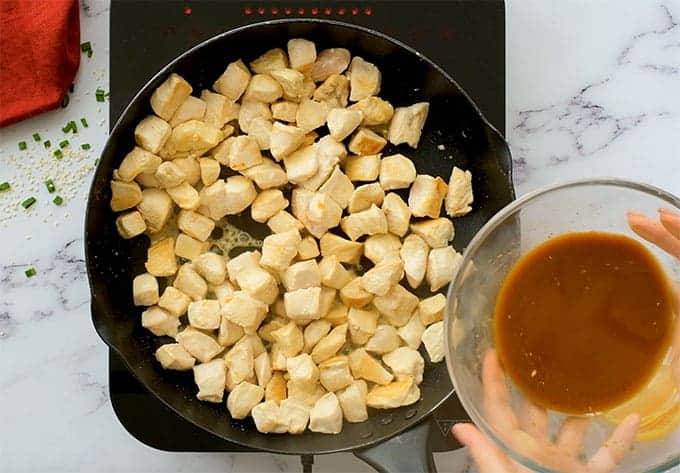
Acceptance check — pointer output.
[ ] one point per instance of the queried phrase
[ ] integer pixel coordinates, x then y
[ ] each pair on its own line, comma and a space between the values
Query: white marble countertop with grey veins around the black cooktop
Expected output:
593, 89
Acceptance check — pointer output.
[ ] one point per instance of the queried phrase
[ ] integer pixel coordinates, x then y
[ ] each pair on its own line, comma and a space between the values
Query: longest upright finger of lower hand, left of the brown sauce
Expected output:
496, 397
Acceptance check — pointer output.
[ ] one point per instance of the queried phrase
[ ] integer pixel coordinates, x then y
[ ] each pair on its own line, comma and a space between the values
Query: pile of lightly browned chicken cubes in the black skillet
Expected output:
296, 334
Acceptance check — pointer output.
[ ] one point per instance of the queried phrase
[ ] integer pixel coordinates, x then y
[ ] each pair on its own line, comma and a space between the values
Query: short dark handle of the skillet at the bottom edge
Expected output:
407, 452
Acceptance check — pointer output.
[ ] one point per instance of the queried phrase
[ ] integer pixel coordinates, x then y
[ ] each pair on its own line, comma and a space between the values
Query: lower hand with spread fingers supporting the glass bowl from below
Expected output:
527, 433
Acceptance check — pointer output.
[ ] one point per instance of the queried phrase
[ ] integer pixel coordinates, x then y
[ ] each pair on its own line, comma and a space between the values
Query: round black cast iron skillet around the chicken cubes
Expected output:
454, 121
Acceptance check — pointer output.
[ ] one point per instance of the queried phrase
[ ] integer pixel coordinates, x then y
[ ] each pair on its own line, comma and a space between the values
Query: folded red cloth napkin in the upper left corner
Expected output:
39, 55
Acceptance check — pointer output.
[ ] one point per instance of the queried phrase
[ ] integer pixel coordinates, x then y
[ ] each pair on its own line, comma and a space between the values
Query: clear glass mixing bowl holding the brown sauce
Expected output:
591, 205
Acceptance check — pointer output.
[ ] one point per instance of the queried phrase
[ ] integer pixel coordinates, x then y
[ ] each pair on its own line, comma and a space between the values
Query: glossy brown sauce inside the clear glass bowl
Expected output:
583, 321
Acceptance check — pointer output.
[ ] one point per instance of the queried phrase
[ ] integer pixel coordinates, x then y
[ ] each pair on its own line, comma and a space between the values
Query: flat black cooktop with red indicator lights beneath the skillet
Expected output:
465, 37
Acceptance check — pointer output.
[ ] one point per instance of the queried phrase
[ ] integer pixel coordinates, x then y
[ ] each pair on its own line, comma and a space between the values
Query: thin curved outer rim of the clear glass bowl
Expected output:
471, 249
